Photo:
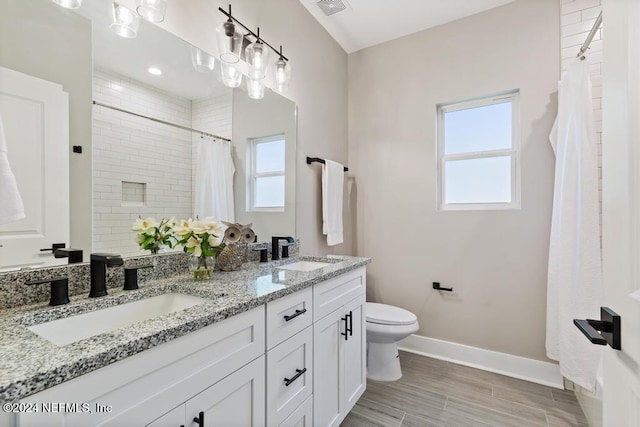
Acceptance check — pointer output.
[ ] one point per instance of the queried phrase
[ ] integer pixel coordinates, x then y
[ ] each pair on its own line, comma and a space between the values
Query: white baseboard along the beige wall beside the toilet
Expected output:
536, 371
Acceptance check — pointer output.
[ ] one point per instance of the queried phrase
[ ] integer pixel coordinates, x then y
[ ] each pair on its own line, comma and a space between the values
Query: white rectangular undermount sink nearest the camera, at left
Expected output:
74, 328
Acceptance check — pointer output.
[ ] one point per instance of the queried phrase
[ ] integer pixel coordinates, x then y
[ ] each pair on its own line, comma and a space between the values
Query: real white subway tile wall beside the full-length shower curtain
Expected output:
576, 20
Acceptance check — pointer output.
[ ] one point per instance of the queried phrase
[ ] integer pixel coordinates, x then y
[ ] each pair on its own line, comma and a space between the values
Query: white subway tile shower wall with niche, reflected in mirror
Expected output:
143, 168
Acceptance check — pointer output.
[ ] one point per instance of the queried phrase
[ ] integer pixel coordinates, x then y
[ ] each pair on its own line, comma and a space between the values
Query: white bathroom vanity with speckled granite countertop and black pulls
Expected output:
271, 344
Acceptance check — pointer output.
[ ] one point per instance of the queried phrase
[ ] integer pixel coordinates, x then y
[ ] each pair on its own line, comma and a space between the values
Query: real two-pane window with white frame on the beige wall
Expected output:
478, 143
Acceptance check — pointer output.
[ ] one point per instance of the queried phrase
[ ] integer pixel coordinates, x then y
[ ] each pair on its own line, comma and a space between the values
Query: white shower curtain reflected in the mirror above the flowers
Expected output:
214, 181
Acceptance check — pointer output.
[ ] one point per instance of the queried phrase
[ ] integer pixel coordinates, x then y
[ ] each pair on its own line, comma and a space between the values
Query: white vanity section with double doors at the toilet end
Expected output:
339, 340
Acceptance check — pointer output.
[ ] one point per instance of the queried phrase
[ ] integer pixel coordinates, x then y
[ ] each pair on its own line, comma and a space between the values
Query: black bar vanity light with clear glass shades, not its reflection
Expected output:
256, 56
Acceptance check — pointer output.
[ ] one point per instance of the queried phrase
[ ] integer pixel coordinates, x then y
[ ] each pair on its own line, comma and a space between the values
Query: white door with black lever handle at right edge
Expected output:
621, 207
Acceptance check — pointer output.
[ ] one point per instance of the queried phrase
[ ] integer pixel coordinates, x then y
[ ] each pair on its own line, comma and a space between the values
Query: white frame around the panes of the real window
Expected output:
513, 153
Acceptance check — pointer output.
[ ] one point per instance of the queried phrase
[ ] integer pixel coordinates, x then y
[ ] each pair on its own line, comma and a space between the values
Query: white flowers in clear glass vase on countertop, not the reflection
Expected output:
202, 239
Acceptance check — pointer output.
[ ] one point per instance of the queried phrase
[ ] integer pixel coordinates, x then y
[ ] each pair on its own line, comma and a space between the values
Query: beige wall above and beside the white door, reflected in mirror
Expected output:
36, 39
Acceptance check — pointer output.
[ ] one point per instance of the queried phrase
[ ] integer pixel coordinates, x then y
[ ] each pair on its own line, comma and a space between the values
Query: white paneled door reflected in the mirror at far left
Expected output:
35, 115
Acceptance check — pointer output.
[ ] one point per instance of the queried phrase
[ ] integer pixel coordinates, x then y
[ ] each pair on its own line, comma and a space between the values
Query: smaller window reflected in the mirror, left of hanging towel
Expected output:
266, 173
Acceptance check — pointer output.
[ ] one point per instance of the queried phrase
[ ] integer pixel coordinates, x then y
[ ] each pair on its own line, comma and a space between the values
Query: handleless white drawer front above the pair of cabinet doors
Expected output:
332, 294
